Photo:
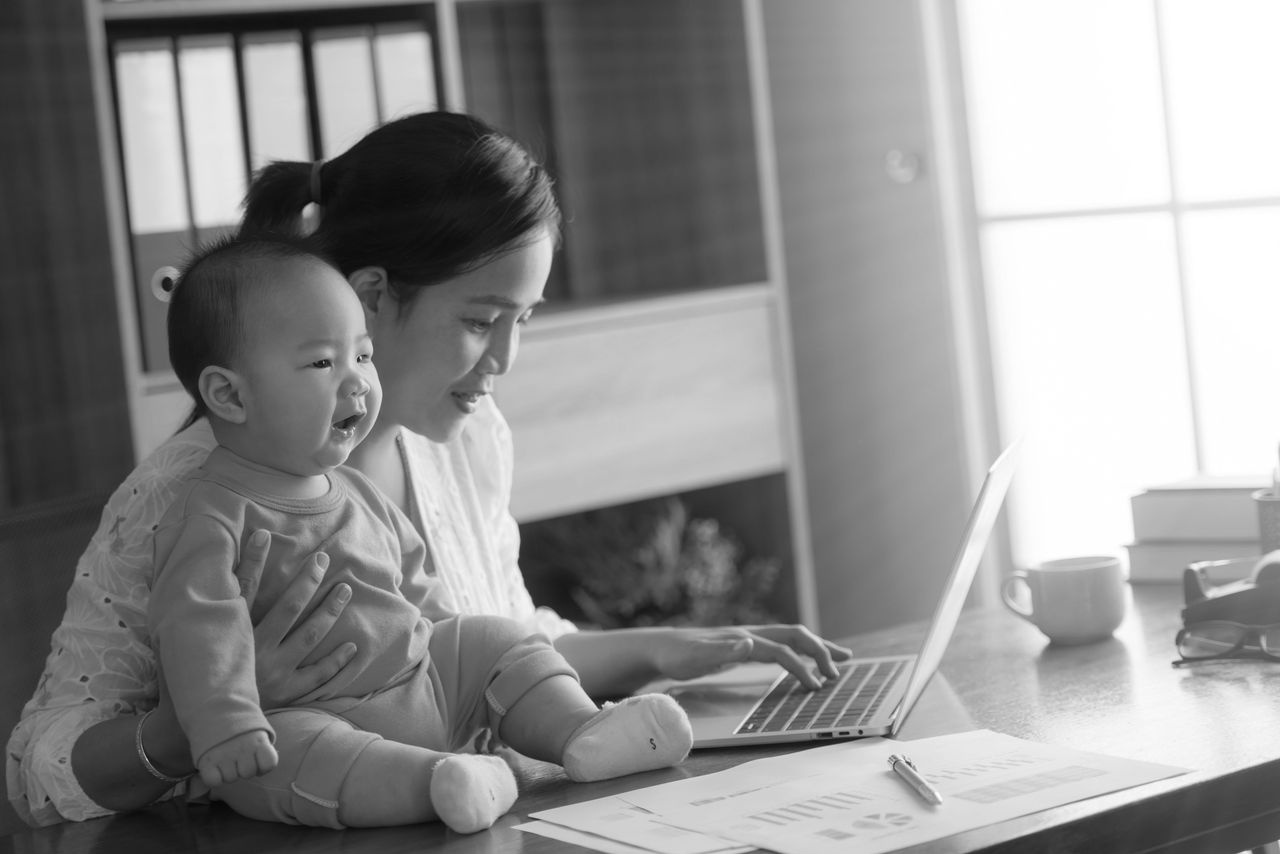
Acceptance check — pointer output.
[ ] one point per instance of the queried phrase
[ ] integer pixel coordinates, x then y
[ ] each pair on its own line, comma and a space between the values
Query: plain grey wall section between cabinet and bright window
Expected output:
872, 328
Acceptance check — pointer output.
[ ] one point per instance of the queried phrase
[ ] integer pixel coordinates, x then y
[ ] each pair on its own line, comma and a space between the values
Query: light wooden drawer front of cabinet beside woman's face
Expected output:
615, 404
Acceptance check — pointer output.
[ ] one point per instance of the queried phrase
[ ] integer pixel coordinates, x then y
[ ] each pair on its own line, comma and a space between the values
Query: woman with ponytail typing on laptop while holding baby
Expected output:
446, 231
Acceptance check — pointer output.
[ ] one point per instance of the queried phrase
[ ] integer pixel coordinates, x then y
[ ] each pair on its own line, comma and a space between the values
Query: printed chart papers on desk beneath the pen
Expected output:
844, 796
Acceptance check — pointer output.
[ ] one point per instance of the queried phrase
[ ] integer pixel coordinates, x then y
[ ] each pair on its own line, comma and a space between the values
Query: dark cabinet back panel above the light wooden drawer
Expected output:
652, 113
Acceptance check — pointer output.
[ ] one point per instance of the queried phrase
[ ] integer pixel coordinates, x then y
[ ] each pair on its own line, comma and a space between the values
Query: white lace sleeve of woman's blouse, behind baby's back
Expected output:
100, 665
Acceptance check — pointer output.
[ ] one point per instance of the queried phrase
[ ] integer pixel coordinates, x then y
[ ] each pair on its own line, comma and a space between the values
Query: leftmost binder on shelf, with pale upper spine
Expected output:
156, 179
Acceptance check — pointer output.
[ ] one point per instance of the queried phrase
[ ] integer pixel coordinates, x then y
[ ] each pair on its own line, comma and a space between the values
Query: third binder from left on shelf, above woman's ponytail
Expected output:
276, 98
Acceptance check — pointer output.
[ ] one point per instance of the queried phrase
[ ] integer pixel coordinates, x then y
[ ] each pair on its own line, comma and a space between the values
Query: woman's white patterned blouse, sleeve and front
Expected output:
102, 665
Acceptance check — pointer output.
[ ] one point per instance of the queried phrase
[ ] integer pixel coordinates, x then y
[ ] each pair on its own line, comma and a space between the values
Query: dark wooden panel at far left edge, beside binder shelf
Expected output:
65, 424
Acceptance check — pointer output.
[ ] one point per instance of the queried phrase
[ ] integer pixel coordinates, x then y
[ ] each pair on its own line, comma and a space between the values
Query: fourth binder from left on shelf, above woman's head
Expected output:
346, 92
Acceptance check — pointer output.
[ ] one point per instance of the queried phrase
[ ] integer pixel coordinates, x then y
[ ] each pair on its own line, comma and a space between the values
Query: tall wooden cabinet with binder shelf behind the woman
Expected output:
664, 362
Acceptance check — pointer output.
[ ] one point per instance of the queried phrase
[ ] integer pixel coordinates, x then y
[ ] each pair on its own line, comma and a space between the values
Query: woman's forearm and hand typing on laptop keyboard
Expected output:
620, 661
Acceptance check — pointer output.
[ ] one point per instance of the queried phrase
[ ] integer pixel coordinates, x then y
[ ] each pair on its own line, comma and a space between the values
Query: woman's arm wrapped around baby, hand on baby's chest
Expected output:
106, 759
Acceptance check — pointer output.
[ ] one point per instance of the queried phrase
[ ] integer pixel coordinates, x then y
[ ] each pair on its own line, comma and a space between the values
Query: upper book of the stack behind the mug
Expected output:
1199, 509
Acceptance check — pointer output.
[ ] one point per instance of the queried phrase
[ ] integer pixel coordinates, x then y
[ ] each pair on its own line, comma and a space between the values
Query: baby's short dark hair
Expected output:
207, 310
